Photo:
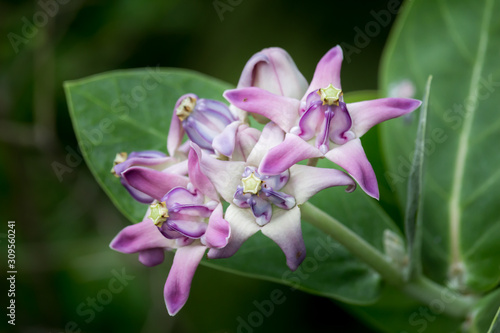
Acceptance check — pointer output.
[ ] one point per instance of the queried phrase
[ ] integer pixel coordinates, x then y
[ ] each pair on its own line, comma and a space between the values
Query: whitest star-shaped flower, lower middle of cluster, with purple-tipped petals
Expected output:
270, 204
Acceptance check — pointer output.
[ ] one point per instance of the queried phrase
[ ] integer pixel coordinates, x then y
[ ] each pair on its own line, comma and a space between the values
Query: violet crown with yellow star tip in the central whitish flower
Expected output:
259, 192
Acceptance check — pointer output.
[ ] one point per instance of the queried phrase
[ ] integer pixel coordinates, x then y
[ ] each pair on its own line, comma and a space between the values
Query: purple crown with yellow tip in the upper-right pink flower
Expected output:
325, 116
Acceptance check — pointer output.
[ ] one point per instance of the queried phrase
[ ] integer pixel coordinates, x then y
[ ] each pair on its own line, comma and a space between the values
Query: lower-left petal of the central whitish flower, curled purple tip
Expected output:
243, 226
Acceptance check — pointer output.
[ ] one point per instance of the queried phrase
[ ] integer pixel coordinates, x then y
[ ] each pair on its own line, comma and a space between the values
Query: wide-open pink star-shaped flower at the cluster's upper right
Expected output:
321, 124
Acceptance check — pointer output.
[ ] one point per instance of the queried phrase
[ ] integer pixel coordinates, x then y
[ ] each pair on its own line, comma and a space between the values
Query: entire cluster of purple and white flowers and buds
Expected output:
256, 173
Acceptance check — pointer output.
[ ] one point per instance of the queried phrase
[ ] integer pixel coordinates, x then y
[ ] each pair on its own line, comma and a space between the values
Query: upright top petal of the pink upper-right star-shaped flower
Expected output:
327, 71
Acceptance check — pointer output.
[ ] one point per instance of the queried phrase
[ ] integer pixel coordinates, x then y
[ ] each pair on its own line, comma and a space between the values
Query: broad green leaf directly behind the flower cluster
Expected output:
131, 110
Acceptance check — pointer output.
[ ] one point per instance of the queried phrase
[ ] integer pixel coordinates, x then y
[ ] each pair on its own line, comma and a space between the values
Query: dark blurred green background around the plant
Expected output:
64, 224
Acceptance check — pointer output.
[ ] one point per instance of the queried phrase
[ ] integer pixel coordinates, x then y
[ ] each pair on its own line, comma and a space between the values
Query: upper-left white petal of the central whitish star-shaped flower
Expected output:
224, 175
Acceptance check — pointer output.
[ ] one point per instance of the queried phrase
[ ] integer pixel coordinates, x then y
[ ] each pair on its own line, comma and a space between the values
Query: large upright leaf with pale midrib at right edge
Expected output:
456, 41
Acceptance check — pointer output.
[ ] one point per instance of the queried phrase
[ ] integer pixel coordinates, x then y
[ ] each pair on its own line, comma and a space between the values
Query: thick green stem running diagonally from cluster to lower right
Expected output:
421, 288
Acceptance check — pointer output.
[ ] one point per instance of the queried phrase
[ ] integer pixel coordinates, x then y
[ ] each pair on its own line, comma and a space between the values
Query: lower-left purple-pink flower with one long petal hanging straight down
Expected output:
185, 216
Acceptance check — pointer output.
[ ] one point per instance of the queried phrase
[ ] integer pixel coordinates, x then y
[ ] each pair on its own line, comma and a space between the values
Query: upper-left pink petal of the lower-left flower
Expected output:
151, 182
